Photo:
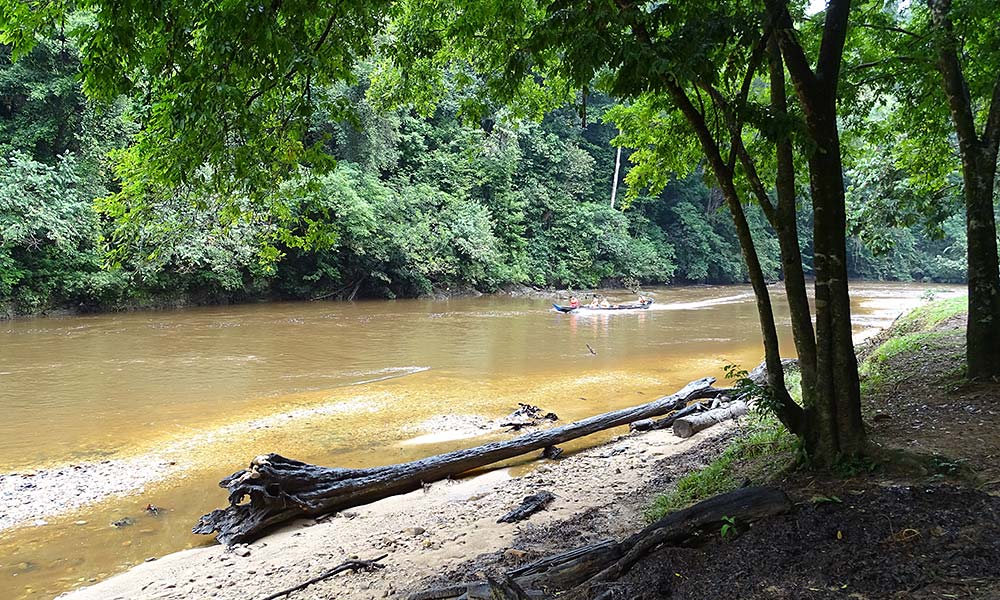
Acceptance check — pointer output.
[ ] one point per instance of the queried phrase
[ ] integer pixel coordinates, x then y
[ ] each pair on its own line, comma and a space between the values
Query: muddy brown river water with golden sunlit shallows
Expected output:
348, 384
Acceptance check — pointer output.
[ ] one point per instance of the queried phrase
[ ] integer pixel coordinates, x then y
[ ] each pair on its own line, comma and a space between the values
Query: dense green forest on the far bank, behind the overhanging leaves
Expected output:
418, 201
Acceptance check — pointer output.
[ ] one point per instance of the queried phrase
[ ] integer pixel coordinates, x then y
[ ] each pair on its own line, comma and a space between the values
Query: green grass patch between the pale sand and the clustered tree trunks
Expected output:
764, 441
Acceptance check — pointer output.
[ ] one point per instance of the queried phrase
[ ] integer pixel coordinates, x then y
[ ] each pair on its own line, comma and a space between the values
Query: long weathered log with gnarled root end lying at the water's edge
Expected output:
280, 489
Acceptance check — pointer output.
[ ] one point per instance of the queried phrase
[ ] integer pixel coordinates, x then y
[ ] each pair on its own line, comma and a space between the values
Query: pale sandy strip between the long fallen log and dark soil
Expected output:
448, 528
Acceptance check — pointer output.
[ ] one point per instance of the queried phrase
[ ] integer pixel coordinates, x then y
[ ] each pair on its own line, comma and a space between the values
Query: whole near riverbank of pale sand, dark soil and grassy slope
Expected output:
920, 520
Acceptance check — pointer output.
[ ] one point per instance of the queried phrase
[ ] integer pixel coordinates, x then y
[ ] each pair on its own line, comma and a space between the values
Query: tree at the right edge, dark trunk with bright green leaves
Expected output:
934, 63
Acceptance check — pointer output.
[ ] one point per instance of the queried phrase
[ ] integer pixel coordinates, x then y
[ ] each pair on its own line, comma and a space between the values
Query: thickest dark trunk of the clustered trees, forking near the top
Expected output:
834, 427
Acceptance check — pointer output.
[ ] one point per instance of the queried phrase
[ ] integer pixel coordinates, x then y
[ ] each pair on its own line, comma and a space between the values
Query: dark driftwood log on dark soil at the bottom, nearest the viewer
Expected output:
583, 570
